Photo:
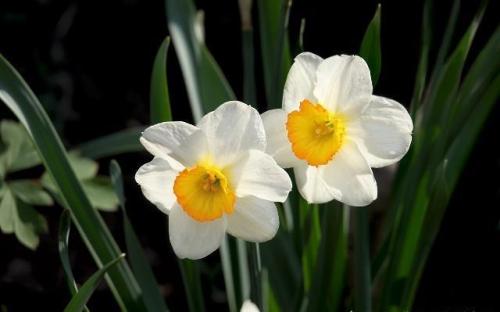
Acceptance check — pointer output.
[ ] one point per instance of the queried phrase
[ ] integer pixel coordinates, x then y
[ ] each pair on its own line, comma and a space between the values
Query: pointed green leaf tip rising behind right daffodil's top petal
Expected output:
371, 49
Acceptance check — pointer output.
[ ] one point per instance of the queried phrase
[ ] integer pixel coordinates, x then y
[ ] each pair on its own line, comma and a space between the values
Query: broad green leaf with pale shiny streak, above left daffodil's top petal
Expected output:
206, 86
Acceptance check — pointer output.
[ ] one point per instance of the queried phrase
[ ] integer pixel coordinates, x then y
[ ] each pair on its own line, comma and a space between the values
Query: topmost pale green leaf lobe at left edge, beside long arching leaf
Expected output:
20, 152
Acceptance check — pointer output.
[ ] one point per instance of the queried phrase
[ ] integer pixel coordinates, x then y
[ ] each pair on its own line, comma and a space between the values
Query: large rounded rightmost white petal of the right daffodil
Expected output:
383, 132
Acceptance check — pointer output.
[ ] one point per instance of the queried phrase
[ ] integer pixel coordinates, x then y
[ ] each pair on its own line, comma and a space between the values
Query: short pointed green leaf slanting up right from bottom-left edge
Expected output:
79, 301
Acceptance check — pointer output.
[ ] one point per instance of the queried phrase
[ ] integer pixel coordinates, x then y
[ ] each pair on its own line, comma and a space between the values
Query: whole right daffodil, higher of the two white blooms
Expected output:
332, 130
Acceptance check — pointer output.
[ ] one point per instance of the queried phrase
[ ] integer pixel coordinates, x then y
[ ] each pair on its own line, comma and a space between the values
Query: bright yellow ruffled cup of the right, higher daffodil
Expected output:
315, 133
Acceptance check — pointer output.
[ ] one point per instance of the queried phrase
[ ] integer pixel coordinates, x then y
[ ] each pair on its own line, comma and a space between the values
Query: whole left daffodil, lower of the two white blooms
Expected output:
213, 178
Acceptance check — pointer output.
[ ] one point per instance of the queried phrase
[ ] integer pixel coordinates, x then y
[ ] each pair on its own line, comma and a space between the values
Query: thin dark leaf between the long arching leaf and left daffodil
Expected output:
140, 265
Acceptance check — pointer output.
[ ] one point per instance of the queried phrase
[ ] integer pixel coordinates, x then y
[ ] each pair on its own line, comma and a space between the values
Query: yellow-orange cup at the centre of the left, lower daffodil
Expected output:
204, 192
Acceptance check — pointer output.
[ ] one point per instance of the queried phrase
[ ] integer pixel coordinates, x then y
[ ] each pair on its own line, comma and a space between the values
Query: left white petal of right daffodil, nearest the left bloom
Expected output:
278, 144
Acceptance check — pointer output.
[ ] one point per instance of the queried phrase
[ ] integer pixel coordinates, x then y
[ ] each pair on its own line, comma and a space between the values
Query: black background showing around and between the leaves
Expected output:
90, 63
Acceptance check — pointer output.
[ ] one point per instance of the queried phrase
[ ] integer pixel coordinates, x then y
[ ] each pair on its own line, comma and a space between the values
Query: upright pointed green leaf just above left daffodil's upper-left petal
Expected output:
158, 95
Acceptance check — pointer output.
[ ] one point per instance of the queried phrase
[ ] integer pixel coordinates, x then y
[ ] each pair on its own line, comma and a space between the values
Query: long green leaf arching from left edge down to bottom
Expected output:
16, 94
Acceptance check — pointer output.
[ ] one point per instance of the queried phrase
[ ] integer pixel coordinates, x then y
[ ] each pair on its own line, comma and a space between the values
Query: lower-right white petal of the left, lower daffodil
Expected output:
253, 219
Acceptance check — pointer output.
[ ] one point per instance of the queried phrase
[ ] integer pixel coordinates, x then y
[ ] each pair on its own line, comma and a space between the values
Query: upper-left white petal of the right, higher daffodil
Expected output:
299, 83
